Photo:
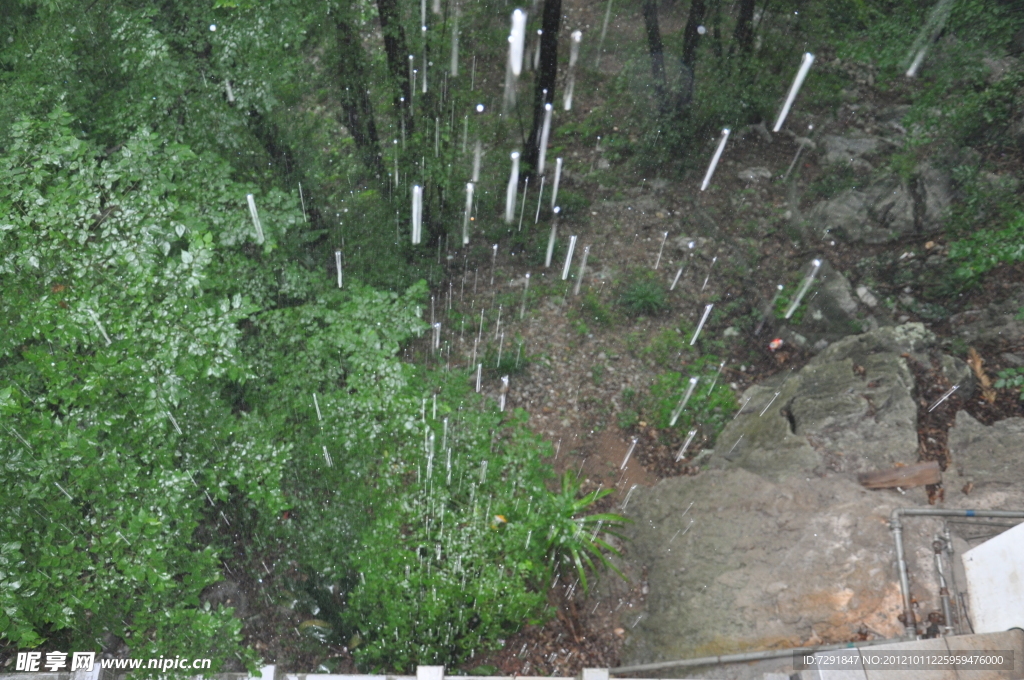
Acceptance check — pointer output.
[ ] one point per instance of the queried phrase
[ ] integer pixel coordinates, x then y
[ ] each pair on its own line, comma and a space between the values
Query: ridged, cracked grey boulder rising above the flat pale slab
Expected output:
851, 409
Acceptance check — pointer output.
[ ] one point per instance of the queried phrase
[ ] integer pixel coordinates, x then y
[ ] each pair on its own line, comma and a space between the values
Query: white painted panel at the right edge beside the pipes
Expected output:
996, 582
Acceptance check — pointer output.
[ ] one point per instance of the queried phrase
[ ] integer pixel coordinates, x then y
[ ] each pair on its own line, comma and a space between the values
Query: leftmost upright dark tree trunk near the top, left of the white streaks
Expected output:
359, 112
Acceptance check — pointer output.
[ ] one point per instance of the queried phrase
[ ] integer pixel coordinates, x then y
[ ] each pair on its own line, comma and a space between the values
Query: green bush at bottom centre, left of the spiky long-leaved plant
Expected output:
447, 566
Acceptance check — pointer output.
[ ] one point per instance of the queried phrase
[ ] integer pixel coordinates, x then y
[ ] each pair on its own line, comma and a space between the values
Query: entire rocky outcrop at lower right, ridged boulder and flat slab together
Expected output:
779, 545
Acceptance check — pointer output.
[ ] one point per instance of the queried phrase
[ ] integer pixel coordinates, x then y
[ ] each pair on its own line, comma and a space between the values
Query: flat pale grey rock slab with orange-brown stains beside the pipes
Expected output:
755, 565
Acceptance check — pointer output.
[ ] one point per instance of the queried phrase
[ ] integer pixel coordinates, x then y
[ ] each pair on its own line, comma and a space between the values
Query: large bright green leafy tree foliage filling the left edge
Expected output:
112, 400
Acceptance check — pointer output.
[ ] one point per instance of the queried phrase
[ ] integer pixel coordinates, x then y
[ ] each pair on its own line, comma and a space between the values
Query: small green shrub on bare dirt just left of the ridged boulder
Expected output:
710, 407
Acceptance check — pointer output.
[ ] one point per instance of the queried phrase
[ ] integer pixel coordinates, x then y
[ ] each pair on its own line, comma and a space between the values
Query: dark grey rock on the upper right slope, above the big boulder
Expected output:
886, 210
